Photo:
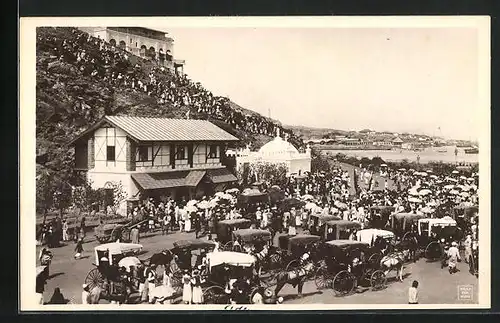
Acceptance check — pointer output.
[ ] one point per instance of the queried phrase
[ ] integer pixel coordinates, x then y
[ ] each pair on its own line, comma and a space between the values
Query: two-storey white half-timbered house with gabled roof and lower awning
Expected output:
157, 157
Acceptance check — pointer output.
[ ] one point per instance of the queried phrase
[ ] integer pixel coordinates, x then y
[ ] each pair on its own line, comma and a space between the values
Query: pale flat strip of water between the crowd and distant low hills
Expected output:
426, 156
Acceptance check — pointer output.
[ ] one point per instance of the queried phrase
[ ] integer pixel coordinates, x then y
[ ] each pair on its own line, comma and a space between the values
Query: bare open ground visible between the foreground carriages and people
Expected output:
436, 285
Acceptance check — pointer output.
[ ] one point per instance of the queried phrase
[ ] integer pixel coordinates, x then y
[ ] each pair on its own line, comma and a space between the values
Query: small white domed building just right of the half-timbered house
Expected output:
277, 151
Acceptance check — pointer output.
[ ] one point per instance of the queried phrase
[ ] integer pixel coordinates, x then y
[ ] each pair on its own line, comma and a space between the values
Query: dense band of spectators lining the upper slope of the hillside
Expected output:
97, 59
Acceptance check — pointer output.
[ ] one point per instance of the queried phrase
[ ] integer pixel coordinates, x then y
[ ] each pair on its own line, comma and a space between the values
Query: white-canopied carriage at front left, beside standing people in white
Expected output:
110, 259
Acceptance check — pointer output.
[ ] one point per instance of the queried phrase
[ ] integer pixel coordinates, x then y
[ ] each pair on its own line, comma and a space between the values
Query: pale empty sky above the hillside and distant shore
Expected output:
418, 80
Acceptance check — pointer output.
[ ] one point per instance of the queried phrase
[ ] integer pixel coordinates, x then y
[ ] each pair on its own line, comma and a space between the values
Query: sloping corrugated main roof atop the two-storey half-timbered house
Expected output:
164, 129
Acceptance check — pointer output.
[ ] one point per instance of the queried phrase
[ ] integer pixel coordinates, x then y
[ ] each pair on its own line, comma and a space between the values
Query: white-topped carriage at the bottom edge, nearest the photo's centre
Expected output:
230, 275
